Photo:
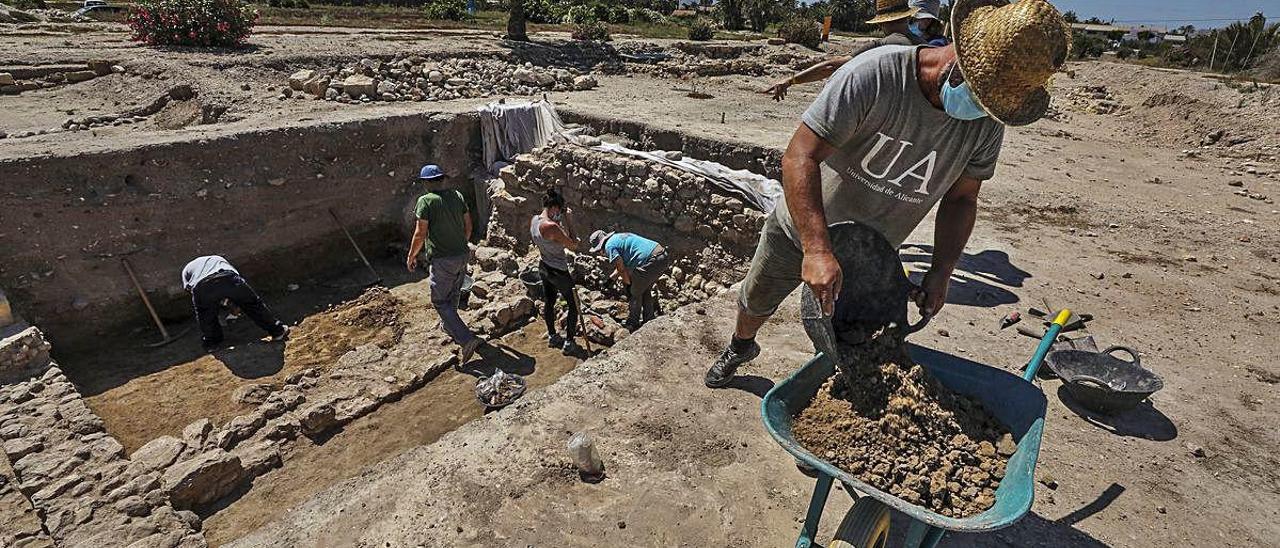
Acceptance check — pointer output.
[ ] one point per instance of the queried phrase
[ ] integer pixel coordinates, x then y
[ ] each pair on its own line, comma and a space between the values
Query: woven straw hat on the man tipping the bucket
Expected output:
1008, 54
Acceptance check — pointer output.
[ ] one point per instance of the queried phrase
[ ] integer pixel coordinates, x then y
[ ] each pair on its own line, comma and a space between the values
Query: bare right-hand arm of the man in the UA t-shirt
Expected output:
952, 232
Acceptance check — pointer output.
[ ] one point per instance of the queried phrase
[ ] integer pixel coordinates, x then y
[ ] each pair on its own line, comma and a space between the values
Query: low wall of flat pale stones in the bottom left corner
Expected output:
75, 476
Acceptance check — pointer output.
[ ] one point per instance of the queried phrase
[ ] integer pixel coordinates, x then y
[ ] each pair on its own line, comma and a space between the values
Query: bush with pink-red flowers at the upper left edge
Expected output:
193, 22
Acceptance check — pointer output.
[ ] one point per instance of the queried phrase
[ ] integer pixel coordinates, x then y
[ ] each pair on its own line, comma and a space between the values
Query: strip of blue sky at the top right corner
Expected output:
1173, 13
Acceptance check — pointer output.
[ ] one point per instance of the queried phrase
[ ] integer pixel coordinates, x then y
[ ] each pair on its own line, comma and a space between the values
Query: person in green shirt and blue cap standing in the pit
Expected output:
444, 229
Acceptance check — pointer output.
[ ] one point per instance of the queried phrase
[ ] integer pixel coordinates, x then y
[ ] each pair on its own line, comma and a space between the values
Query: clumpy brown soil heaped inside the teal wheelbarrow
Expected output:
897, 428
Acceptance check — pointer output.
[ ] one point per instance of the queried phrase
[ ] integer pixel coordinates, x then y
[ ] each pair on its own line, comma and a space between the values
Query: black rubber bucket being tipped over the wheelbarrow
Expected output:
874, 296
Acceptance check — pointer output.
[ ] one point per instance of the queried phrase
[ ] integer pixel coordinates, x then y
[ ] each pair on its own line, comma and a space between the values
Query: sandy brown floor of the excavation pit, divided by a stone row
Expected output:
143, 394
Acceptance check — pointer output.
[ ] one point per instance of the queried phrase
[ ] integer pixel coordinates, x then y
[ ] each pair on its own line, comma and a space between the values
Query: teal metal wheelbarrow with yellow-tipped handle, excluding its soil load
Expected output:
1014, 401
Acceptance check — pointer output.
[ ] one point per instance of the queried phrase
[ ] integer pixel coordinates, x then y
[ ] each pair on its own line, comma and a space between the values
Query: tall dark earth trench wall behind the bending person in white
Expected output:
260, 199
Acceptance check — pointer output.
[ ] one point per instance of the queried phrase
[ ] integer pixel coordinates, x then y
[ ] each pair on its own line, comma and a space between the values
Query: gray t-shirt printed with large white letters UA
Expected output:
897, 154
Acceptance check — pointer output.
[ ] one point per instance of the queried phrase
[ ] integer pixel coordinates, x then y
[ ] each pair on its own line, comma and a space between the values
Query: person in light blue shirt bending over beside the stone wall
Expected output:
641, 262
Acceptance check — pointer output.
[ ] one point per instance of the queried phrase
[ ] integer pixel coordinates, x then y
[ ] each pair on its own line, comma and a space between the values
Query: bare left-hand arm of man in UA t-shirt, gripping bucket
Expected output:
802, 182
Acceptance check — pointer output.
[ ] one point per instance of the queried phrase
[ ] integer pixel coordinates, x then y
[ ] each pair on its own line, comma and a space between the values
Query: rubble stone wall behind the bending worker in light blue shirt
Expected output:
710, 235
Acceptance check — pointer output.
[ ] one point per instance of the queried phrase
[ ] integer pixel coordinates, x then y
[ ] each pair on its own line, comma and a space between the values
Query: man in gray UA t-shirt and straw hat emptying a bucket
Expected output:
895, 133
